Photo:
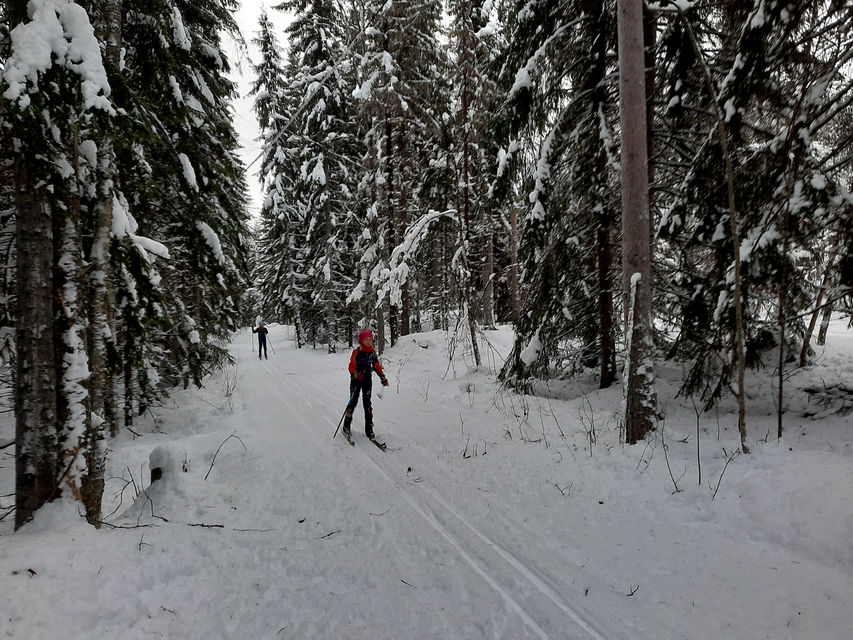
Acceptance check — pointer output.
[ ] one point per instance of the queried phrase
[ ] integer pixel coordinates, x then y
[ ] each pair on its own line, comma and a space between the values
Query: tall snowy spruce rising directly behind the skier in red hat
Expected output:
401, 103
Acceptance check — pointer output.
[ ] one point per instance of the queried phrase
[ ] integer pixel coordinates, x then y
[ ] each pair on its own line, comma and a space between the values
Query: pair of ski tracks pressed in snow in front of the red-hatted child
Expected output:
428, 507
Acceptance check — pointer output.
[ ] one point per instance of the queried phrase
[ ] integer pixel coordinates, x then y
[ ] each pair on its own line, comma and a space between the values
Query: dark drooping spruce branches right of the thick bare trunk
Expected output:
776, 73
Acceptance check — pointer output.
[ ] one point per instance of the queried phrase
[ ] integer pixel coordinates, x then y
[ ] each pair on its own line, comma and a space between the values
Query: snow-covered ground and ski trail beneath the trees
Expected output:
492, 515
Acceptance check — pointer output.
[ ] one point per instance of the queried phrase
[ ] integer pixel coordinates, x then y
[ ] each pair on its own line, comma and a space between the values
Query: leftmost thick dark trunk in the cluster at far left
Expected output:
37, 435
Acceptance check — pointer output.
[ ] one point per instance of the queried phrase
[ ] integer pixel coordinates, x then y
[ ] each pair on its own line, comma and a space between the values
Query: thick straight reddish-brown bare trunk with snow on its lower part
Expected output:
636, 250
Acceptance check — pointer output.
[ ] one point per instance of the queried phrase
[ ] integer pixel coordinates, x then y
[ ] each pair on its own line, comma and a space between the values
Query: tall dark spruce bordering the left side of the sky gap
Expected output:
192, 198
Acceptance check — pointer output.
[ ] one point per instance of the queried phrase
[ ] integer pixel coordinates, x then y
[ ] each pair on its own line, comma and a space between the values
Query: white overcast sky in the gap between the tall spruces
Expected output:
241, 60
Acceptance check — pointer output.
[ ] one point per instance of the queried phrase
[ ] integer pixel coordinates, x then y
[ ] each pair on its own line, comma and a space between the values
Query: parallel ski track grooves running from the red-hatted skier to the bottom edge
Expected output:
428, 513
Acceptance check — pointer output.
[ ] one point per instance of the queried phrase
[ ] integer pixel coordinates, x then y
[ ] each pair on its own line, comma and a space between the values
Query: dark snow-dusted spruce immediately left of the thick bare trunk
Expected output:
560, 94
